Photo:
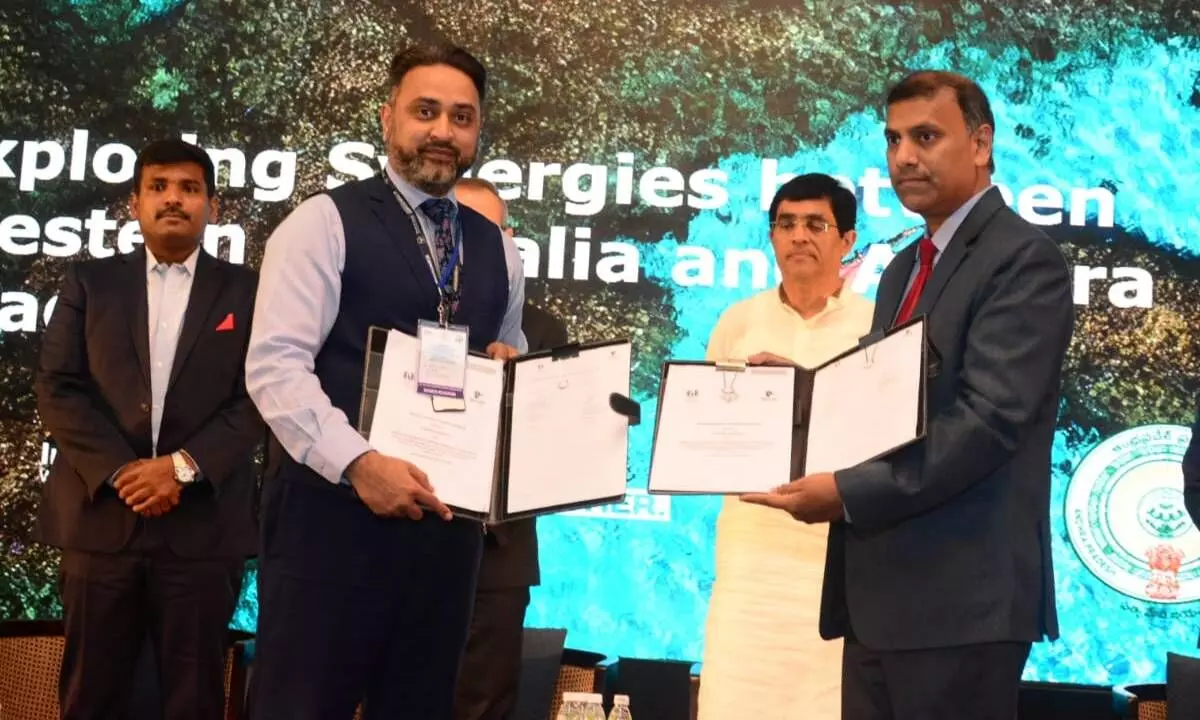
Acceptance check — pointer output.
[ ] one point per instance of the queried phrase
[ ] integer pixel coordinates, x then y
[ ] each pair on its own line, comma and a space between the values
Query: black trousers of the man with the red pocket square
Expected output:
112, 602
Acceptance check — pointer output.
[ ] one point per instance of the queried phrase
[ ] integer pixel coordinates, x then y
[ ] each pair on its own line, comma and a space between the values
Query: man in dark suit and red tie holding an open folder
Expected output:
939, 572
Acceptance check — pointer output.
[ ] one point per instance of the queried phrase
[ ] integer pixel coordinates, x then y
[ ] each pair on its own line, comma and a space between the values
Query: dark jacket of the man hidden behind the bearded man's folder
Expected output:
511, 551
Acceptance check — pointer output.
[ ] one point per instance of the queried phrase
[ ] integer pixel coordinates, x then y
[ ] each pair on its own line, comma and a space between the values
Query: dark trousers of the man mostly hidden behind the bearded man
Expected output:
491, 667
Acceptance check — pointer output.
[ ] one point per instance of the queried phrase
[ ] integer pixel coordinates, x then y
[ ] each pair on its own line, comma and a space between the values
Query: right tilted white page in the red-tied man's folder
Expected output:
866, 404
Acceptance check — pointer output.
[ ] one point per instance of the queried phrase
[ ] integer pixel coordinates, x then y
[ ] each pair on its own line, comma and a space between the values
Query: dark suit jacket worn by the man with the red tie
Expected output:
950, 539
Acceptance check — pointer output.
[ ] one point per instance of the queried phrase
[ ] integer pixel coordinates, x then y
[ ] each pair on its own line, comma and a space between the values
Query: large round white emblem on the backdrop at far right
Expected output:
1126, 517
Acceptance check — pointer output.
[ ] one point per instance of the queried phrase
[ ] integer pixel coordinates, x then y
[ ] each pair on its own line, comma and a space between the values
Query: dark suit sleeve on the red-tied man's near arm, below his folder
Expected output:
1012, 359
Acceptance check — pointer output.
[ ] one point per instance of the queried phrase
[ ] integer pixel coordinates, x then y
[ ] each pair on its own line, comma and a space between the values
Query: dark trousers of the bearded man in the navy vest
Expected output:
356, 609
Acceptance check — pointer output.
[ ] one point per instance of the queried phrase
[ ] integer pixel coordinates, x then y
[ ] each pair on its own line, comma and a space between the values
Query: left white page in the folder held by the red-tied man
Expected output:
724, 431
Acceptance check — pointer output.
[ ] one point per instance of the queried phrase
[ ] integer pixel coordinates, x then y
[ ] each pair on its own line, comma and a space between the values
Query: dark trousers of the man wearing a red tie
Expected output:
979, 682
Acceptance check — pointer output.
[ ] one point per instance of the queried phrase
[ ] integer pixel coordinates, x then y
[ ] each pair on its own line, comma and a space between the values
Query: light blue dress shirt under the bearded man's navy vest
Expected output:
299, 292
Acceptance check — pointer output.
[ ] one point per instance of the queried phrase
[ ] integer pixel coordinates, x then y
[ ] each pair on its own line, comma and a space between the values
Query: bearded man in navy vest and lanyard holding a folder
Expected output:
364, 596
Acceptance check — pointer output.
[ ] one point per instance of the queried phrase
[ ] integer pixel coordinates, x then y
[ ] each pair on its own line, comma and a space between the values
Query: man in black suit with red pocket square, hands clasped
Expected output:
152, 496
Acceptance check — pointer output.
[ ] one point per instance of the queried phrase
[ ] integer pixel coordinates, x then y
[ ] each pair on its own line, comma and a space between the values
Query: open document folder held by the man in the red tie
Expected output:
729, 429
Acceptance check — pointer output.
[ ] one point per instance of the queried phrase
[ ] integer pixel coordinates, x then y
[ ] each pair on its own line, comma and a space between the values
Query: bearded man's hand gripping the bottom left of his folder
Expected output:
394, 488
